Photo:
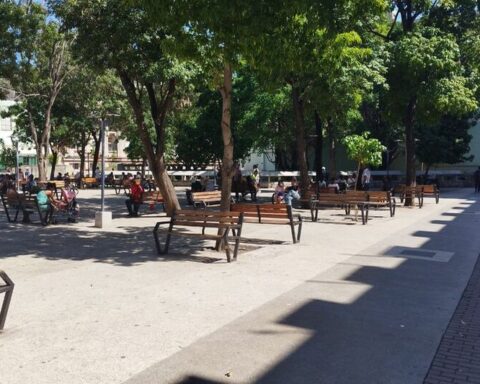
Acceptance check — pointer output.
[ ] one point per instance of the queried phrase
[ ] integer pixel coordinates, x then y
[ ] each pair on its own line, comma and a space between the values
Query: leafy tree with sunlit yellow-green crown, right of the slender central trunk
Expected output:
320, 52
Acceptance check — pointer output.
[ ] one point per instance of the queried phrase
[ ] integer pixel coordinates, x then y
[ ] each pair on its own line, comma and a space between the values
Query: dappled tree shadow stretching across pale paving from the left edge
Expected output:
129, 247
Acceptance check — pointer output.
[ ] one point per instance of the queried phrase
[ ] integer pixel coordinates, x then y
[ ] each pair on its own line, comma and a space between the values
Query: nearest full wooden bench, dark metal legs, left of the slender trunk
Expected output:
222, 222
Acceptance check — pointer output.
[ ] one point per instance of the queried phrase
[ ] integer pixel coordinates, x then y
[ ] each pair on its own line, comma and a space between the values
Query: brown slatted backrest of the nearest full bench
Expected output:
188, 217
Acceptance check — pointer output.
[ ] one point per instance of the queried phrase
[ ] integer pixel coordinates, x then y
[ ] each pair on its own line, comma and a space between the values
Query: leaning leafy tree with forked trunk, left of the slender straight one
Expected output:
117, 36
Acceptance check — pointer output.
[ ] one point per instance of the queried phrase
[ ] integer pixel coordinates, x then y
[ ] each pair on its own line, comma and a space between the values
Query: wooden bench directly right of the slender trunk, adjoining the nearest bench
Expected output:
270, 214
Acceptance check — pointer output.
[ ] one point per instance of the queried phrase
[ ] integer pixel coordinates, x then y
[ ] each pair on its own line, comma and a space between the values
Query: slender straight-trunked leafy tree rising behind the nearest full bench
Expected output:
219, 32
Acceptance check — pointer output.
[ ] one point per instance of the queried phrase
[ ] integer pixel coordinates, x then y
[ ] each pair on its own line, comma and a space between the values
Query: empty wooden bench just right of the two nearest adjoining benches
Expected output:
342, 200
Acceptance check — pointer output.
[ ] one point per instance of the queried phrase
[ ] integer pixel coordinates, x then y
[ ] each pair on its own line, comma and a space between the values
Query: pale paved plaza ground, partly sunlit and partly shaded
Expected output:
380, 303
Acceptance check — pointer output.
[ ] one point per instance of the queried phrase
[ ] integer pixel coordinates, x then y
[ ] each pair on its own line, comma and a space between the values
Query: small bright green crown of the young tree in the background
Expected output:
364, 150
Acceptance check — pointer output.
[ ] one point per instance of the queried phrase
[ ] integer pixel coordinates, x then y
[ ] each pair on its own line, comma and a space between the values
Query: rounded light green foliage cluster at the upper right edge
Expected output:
425, 68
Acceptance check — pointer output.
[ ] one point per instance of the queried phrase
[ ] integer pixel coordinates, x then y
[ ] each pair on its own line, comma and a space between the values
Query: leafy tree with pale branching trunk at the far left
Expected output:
37, 71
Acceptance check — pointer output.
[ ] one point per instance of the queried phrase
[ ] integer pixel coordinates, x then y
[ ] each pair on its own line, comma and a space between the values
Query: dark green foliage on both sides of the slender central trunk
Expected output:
255, 115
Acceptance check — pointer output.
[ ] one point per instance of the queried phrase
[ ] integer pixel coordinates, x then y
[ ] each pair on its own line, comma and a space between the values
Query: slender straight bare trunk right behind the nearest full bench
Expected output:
227, 160
